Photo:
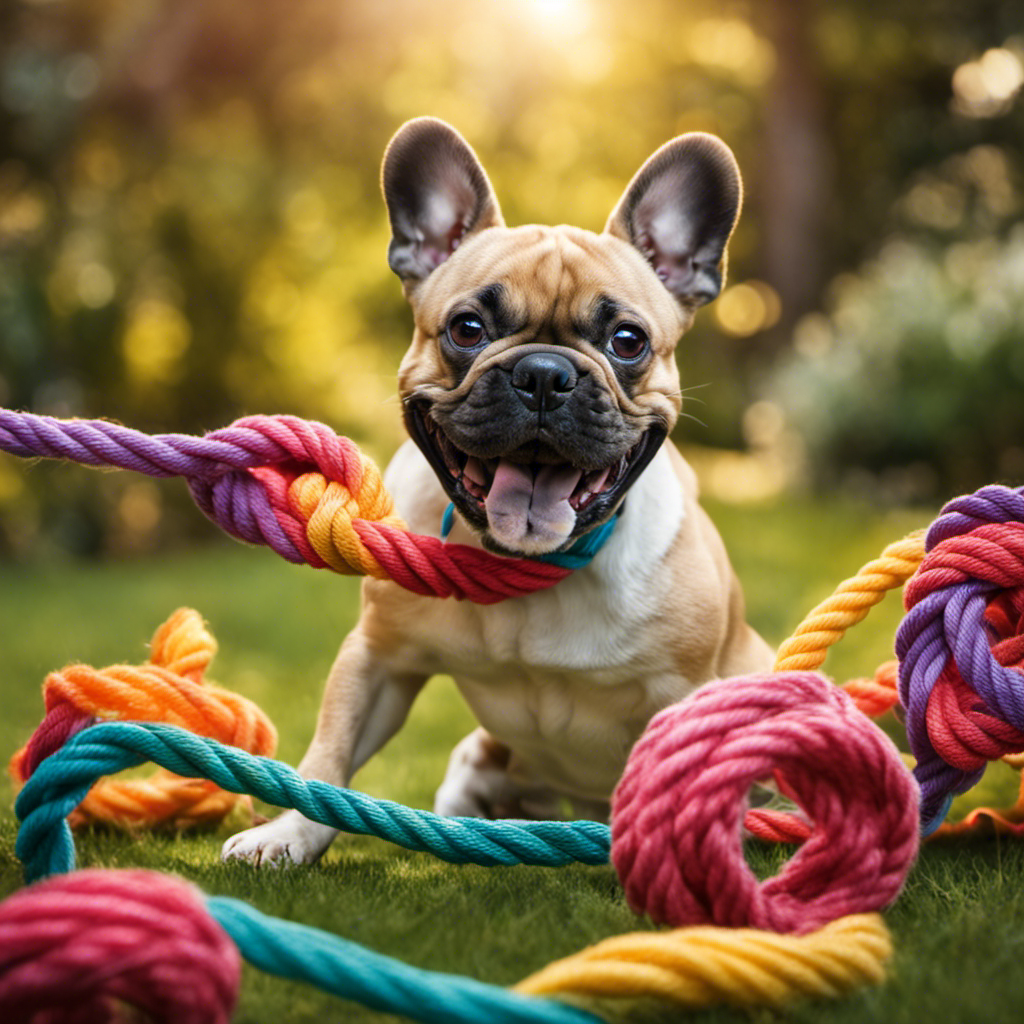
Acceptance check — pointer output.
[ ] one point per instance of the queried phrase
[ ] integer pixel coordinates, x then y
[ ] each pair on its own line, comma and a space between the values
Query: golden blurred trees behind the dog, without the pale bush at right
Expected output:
191, 226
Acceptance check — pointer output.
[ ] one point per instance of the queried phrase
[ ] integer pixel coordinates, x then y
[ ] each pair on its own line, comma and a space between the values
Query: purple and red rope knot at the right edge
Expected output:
961, 647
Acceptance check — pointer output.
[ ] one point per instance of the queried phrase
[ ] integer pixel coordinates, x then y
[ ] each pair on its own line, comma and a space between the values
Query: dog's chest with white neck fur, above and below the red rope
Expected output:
567, 677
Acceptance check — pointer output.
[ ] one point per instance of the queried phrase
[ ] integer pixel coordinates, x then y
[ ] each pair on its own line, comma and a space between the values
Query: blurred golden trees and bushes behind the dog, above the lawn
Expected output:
191, 226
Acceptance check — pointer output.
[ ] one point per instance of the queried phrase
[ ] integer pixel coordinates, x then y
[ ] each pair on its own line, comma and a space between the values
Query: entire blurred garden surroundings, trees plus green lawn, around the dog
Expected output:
191, 230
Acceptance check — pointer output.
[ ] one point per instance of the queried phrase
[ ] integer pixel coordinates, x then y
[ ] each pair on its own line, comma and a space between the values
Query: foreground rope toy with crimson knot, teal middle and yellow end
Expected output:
179, 937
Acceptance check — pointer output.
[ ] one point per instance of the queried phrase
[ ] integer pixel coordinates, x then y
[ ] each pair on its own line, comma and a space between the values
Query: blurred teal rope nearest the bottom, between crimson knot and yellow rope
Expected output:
343, 968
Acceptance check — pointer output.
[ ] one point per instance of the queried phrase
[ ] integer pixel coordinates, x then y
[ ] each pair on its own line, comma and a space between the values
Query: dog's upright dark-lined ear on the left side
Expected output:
437, 194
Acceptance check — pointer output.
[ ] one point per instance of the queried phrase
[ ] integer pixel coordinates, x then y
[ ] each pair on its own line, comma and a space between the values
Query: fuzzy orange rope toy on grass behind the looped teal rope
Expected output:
169, 689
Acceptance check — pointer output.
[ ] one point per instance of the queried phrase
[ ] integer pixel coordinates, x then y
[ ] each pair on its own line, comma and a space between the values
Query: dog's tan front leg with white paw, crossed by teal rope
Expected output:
364, 706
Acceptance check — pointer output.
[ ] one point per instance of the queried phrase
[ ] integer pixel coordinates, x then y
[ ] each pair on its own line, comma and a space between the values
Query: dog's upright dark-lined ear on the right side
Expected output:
679, 211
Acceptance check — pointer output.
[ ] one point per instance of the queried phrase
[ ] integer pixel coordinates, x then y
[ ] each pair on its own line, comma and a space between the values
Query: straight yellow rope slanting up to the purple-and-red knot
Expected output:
850, 604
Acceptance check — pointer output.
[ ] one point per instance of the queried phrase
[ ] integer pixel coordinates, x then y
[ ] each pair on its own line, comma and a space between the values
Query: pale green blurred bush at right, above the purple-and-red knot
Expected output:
912, 382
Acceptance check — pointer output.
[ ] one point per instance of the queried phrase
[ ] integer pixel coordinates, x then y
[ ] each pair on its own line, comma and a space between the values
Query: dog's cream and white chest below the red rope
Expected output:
569, 686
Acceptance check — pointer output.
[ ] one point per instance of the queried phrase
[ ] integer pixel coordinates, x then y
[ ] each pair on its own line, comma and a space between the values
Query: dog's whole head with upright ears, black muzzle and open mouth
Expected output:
542, 376
